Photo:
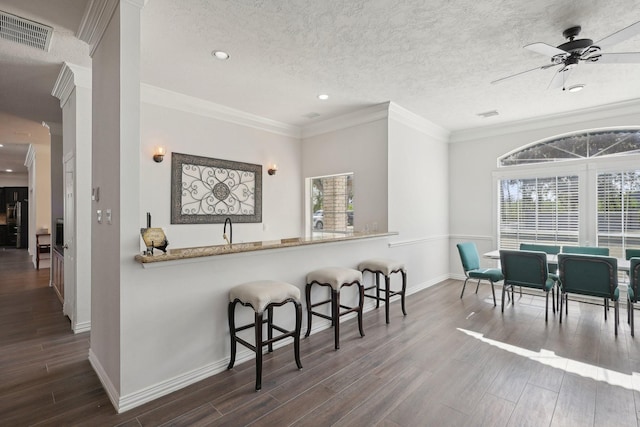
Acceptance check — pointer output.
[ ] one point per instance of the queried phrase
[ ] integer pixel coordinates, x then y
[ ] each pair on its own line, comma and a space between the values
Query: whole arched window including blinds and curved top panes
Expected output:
594, 202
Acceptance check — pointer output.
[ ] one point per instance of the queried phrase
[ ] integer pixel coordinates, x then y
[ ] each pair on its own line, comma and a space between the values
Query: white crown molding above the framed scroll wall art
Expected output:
177, 101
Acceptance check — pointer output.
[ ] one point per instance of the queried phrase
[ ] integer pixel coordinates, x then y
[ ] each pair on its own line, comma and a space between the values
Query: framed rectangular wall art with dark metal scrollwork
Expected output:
207, 191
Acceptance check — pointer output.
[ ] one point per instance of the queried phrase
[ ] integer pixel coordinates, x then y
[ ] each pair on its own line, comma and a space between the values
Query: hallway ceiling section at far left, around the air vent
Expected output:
27, 76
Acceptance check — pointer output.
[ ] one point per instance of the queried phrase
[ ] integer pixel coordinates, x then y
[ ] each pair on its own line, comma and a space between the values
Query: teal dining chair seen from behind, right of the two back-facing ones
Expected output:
589, 275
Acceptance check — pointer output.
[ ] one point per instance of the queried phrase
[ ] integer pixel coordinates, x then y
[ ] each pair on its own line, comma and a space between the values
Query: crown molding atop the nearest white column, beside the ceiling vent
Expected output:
96, 18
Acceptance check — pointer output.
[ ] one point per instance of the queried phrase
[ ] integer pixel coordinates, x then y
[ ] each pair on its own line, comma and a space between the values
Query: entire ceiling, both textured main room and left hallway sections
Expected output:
435, 58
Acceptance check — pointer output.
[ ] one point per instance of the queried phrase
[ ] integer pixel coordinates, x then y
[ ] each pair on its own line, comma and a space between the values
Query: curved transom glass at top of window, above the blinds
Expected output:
581, 145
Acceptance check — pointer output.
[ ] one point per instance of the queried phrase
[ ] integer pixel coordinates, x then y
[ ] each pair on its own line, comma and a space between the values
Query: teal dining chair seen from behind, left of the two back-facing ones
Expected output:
526, 269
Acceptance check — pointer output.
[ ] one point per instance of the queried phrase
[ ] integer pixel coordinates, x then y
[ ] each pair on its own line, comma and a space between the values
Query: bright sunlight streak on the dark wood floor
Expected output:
549, 358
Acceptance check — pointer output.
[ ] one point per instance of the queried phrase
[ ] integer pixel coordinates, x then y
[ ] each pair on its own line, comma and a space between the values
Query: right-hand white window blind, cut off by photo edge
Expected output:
619, 211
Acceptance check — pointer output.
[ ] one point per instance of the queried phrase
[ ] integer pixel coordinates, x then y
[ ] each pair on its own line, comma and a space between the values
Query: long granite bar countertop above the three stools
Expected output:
205, 251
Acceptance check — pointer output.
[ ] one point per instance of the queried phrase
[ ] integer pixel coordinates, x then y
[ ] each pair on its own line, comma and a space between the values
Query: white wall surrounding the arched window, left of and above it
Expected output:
473, 157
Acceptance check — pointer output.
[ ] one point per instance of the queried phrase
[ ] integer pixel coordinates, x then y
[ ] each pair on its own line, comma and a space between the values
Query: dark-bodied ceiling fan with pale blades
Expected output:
569, 54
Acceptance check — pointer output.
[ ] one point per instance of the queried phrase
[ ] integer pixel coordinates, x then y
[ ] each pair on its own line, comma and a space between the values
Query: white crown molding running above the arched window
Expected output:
617, 109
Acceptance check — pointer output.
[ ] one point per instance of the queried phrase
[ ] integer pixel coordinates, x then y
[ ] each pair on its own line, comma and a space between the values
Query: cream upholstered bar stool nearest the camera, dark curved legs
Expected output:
264, 295
